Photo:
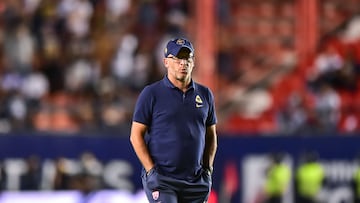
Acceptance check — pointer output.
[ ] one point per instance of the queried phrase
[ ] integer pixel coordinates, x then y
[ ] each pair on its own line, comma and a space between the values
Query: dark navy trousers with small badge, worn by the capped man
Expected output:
164, 189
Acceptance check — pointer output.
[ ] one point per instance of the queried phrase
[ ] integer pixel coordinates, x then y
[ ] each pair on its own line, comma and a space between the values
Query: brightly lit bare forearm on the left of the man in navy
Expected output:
138, 131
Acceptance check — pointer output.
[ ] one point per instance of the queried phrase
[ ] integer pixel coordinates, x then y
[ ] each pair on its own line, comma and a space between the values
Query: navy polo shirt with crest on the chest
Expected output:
177, 124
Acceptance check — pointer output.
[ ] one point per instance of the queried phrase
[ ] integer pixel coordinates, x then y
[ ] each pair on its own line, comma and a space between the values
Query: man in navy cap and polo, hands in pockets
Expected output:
174, 132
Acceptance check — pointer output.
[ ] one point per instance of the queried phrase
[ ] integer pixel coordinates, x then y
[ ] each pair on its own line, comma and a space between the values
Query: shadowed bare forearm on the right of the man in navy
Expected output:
210, 147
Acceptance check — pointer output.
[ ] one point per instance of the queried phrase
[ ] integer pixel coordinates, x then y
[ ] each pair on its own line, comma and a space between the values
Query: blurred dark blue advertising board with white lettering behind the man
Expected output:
93, 165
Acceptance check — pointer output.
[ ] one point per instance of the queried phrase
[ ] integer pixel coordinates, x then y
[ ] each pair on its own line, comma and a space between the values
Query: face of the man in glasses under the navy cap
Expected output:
180, 67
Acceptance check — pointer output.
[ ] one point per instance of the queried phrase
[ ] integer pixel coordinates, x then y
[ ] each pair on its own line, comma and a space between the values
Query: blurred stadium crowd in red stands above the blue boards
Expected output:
77, 66
